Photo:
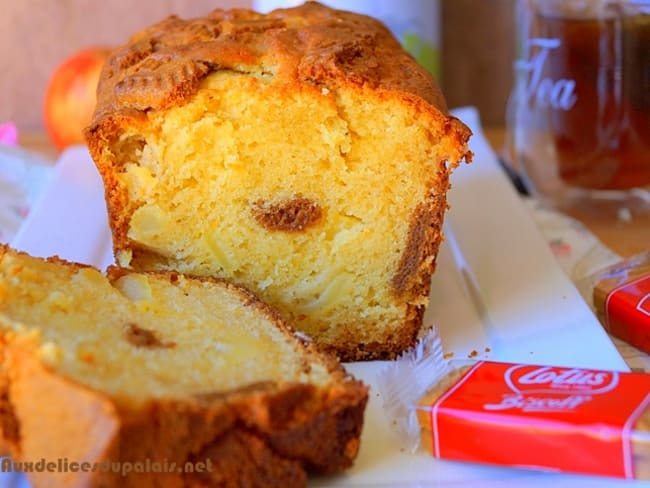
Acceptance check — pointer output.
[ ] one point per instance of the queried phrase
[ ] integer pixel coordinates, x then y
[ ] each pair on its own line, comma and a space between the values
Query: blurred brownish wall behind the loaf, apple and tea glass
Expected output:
37, 35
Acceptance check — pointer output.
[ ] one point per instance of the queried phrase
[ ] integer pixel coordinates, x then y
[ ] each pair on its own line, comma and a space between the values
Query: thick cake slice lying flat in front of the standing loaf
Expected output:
133, 372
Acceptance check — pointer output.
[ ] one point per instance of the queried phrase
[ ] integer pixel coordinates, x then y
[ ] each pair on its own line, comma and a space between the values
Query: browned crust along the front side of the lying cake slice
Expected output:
296, 427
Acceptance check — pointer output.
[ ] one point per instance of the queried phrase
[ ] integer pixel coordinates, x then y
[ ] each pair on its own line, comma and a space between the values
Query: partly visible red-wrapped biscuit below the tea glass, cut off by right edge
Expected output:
621, 298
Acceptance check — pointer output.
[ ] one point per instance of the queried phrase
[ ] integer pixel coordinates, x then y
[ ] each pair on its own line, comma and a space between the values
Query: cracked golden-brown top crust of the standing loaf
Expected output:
163, 65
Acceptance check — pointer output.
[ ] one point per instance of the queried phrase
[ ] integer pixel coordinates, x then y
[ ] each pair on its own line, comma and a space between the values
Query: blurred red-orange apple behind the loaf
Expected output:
70, 97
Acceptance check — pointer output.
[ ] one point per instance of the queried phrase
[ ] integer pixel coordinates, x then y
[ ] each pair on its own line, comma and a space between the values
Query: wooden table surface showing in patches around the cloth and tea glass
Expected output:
625, 237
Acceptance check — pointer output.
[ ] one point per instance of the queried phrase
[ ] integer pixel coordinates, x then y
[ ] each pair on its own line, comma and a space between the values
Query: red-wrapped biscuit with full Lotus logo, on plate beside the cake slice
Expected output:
551, 418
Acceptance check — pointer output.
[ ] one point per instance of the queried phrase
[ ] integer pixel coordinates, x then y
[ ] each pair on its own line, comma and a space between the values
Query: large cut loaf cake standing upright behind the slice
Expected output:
302, 153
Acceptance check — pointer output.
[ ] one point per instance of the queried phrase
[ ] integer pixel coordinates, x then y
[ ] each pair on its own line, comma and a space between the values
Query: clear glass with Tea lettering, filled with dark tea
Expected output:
579, 114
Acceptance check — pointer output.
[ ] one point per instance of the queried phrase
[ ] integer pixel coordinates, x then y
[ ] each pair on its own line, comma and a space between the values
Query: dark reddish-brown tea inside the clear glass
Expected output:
603, 141
